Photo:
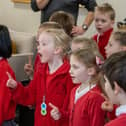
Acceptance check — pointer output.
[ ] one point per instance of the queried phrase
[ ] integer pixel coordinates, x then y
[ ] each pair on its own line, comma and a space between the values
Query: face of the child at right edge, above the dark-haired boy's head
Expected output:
112, 47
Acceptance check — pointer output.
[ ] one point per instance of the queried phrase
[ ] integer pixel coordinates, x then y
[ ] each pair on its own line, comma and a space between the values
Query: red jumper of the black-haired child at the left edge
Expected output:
7, 105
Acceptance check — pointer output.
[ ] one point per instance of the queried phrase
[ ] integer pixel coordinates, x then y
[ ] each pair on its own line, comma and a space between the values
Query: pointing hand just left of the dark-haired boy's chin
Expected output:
107, 105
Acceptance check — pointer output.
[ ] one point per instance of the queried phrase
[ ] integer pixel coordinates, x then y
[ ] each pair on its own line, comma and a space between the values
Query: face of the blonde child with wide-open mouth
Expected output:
46, 47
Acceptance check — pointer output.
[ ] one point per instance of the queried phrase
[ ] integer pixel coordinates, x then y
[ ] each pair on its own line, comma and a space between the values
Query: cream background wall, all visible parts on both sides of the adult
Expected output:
20, 17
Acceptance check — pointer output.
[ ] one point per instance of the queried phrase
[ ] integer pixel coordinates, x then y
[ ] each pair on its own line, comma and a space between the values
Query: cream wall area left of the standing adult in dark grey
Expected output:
19, 17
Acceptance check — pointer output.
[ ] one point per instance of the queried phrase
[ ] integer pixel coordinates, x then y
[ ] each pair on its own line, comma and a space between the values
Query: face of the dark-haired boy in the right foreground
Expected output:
109, 91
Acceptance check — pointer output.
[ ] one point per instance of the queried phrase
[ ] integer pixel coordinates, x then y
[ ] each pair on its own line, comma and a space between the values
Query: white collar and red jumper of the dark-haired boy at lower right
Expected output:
121, 117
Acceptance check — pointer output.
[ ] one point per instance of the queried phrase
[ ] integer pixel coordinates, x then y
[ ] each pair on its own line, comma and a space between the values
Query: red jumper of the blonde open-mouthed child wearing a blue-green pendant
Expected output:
56, 87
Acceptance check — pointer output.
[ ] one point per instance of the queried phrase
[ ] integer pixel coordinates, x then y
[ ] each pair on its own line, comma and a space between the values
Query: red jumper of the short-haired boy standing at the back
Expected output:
102, 41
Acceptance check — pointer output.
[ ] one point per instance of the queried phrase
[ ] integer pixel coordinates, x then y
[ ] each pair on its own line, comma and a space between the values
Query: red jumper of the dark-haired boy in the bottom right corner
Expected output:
119, 121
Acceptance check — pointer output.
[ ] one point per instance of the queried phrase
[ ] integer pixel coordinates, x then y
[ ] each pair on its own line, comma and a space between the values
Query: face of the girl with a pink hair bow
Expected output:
78, 70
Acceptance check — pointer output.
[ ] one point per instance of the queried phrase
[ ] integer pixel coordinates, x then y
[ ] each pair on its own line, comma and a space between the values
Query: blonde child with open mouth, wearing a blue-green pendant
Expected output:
52, 81
